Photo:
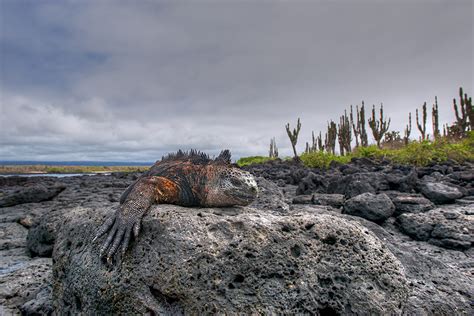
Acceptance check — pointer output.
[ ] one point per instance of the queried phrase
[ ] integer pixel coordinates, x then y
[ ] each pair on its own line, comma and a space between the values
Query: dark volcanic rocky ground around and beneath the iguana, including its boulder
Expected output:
359, 238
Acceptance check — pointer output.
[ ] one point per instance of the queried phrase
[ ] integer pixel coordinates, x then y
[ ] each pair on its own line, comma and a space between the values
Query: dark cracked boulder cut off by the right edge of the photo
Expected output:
448, 228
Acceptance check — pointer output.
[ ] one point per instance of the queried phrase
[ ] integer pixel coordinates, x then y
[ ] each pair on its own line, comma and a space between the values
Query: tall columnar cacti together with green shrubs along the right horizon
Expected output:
455, 143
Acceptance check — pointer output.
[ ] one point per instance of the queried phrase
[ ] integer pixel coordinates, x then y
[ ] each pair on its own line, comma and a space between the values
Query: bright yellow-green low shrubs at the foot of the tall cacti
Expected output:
418, 153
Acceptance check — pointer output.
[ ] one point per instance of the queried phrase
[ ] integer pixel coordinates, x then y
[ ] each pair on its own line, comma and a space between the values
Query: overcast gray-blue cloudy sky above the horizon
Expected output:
132, 80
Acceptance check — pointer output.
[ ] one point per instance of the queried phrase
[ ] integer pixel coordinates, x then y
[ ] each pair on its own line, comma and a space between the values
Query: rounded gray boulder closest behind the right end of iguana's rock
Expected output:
376, 208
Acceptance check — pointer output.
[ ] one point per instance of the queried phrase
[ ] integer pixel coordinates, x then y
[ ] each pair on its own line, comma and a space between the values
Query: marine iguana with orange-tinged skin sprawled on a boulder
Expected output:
183, 178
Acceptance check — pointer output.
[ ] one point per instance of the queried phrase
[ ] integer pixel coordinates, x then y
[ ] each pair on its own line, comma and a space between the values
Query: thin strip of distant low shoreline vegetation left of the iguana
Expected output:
21, 169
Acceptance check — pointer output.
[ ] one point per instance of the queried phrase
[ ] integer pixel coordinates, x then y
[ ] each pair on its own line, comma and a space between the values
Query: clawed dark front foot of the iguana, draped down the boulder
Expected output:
120, 228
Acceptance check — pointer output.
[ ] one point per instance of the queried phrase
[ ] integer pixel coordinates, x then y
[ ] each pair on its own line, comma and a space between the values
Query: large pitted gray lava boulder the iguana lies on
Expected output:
194, 261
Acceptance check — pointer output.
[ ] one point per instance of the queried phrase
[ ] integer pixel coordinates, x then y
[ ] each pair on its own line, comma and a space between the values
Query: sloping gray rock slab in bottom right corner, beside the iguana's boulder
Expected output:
441, 280
